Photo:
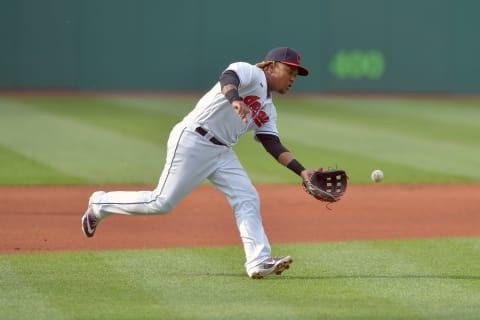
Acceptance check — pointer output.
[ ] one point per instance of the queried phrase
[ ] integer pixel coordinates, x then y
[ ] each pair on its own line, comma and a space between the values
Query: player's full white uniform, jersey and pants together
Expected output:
199, 148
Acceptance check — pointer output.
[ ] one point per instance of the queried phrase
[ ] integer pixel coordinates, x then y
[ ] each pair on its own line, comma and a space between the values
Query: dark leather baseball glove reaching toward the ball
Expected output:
327, 185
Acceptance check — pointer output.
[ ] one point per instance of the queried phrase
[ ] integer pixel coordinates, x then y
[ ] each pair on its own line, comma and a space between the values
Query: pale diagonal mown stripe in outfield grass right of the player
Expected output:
400, 148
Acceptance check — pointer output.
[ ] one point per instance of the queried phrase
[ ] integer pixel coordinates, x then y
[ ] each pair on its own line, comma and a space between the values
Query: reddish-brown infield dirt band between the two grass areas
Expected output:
45, 219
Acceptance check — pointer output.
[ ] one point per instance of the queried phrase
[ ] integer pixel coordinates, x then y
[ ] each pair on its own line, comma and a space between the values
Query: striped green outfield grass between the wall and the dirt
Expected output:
121, 139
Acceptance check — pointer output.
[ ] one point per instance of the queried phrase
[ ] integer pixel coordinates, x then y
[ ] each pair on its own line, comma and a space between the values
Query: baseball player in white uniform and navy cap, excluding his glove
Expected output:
200, 147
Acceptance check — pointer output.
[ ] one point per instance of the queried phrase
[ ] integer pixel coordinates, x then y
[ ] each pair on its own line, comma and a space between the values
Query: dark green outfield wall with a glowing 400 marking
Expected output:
409, 46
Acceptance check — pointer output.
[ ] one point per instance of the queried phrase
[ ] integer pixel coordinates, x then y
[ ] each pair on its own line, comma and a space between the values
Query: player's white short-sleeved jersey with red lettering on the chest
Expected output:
214, 112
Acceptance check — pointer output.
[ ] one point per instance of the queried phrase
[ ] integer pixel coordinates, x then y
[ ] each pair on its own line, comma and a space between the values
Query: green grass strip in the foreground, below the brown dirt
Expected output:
417, 279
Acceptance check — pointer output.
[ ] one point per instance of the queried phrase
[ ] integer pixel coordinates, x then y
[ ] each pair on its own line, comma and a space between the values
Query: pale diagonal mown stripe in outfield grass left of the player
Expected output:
79, 149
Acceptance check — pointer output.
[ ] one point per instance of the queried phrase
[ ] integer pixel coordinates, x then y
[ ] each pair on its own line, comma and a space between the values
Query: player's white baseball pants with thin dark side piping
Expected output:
191, 159
